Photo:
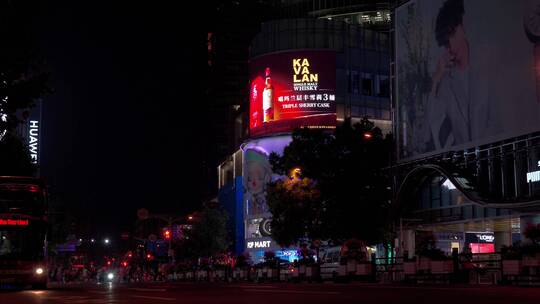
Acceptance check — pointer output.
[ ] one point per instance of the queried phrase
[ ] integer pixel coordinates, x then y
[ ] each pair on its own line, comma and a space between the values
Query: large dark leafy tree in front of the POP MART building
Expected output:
346, 170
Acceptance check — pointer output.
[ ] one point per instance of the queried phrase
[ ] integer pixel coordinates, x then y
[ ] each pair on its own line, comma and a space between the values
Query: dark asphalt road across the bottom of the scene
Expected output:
239, 293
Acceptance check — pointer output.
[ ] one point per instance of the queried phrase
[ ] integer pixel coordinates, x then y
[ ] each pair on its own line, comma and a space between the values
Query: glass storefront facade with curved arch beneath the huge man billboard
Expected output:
500, 185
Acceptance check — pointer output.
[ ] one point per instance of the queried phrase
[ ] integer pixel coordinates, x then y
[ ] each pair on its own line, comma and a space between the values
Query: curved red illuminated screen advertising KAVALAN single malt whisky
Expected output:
290, 90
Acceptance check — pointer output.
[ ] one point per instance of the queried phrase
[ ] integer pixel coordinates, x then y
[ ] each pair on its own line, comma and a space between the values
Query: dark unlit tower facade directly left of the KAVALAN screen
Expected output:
231, 26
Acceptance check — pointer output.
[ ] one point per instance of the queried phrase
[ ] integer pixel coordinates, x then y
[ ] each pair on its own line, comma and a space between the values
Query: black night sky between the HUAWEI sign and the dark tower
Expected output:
124, 127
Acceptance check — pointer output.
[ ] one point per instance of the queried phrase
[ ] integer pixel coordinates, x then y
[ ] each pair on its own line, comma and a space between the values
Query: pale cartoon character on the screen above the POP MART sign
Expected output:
258, 175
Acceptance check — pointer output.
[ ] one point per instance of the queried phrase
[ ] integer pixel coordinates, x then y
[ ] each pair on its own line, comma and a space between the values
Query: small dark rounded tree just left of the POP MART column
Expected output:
207, 237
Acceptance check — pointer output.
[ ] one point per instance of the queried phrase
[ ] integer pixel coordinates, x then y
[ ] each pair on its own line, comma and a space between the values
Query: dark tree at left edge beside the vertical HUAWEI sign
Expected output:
22, 82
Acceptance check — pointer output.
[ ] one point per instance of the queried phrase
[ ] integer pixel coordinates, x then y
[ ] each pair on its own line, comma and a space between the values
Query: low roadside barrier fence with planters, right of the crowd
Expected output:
483, 268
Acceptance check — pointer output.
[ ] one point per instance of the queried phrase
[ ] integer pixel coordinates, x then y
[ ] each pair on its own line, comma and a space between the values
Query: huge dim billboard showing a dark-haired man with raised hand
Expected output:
467, 73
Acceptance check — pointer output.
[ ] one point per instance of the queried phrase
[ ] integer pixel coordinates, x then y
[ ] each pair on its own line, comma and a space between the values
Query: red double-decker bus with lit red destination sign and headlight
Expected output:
23, 232
